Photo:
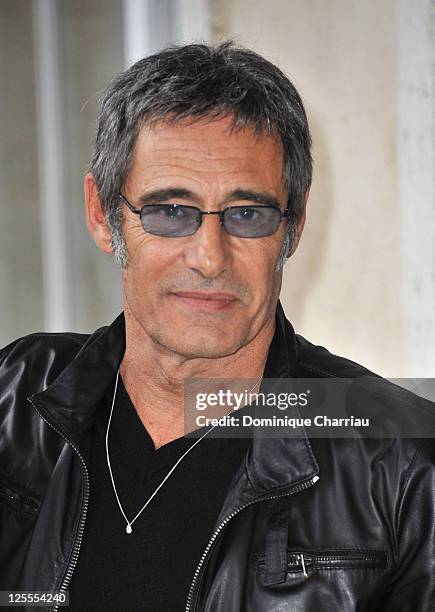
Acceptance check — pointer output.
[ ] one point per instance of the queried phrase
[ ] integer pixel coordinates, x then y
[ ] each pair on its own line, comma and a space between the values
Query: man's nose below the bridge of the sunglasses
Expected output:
207, 250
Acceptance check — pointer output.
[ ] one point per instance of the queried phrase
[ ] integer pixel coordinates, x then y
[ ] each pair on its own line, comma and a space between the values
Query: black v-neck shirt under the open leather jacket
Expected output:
152, 568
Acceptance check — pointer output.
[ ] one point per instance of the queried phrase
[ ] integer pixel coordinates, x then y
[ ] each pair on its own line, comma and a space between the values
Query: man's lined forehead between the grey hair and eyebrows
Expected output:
207, 151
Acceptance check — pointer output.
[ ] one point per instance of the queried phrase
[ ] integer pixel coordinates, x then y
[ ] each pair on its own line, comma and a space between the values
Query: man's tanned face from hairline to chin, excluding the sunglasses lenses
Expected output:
209, 294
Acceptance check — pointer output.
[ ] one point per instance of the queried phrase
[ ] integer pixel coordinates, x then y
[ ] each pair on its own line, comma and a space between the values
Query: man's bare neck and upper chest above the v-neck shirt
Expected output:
155, 377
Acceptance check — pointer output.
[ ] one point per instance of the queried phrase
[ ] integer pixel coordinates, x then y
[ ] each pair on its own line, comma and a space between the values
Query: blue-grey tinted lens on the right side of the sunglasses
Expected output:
251, 221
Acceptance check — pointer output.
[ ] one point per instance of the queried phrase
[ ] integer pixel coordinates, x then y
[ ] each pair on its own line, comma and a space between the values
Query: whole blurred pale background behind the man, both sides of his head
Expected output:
362, 282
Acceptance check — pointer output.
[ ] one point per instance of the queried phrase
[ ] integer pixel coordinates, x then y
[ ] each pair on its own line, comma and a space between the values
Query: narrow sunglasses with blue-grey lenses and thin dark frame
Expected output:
179, 220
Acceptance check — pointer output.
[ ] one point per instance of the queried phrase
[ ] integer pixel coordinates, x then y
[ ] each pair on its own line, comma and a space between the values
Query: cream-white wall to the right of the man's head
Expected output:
363, 280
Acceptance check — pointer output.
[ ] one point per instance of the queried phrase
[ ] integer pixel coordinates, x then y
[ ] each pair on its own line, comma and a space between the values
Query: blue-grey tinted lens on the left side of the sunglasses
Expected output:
172, 221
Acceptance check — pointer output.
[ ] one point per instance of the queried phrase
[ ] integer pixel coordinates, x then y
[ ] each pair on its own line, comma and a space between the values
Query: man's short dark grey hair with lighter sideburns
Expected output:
195, 81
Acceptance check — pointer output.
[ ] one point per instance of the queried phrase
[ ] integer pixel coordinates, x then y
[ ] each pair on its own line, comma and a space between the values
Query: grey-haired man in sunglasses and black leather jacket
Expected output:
198, 183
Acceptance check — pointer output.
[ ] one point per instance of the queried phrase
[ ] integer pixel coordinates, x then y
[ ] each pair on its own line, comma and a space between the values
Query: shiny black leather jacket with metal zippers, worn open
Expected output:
365, 528
